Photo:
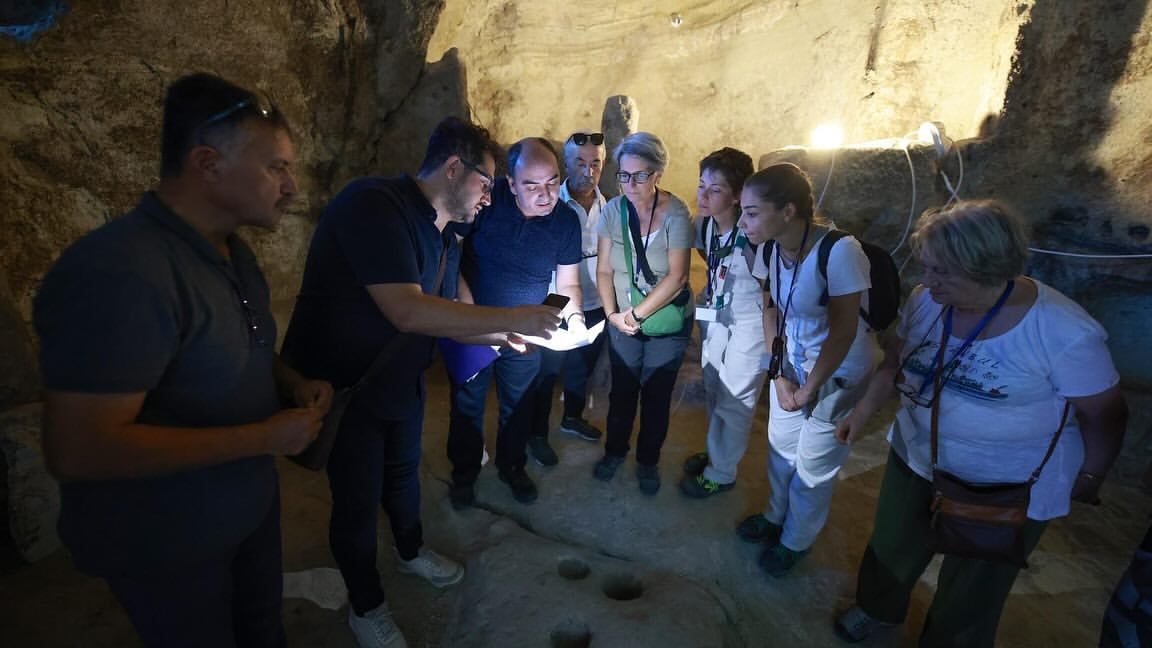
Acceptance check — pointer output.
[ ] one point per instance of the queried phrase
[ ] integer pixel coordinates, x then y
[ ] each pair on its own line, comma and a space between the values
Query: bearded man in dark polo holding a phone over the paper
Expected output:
380, 281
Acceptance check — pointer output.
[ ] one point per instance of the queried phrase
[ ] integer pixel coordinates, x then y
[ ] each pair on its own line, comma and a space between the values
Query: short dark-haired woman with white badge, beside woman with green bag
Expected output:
730, 311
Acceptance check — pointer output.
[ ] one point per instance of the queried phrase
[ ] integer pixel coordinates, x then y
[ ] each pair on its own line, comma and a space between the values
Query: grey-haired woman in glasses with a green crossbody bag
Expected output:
646, 243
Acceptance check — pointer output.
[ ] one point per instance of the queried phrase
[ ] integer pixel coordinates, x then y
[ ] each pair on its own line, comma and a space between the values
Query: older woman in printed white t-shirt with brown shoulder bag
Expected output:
1015, 353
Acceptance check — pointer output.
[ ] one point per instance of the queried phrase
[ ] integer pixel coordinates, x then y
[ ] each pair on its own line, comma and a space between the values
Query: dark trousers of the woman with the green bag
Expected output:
643, 373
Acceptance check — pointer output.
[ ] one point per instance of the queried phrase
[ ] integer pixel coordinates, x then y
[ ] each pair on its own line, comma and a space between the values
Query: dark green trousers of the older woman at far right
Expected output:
971, 593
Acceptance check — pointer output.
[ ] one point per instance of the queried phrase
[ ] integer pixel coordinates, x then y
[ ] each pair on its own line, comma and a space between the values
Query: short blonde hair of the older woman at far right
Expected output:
984, 240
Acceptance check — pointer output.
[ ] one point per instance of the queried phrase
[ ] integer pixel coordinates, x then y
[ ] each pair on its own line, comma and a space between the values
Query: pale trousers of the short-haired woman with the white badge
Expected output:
733, 380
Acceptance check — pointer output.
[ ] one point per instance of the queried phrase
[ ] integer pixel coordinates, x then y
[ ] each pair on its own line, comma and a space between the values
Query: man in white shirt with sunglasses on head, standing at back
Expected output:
585, 156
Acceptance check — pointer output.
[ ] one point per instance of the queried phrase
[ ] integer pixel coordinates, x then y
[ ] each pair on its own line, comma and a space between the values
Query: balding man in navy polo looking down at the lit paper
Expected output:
518, 243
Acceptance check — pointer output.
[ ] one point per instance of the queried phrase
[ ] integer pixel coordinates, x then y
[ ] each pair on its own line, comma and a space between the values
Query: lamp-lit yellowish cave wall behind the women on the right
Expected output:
1047, 101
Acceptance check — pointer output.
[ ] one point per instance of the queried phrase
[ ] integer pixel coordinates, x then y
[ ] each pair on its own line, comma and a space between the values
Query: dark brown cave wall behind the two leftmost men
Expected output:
82, 104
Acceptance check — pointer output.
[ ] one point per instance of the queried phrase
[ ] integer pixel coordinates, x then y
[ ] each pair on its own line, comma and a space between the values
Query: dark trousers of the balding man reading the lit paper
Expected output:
516, 373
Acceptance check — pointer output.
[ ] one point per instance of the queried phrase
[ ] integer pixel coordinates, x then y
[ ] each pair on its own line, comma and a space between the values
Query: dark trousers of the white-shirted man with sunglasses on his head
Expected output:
577, 366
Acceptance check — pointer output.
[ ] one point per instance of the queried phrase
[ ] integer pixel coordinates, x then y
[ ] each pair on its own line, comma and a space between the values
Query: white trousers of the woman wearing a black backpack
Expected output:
805, 459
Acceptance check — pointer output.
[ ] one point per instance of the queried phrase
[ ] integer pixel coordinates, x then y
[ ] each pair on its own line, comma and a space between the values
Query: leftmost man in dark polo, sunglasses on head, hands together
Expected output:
163, 405
